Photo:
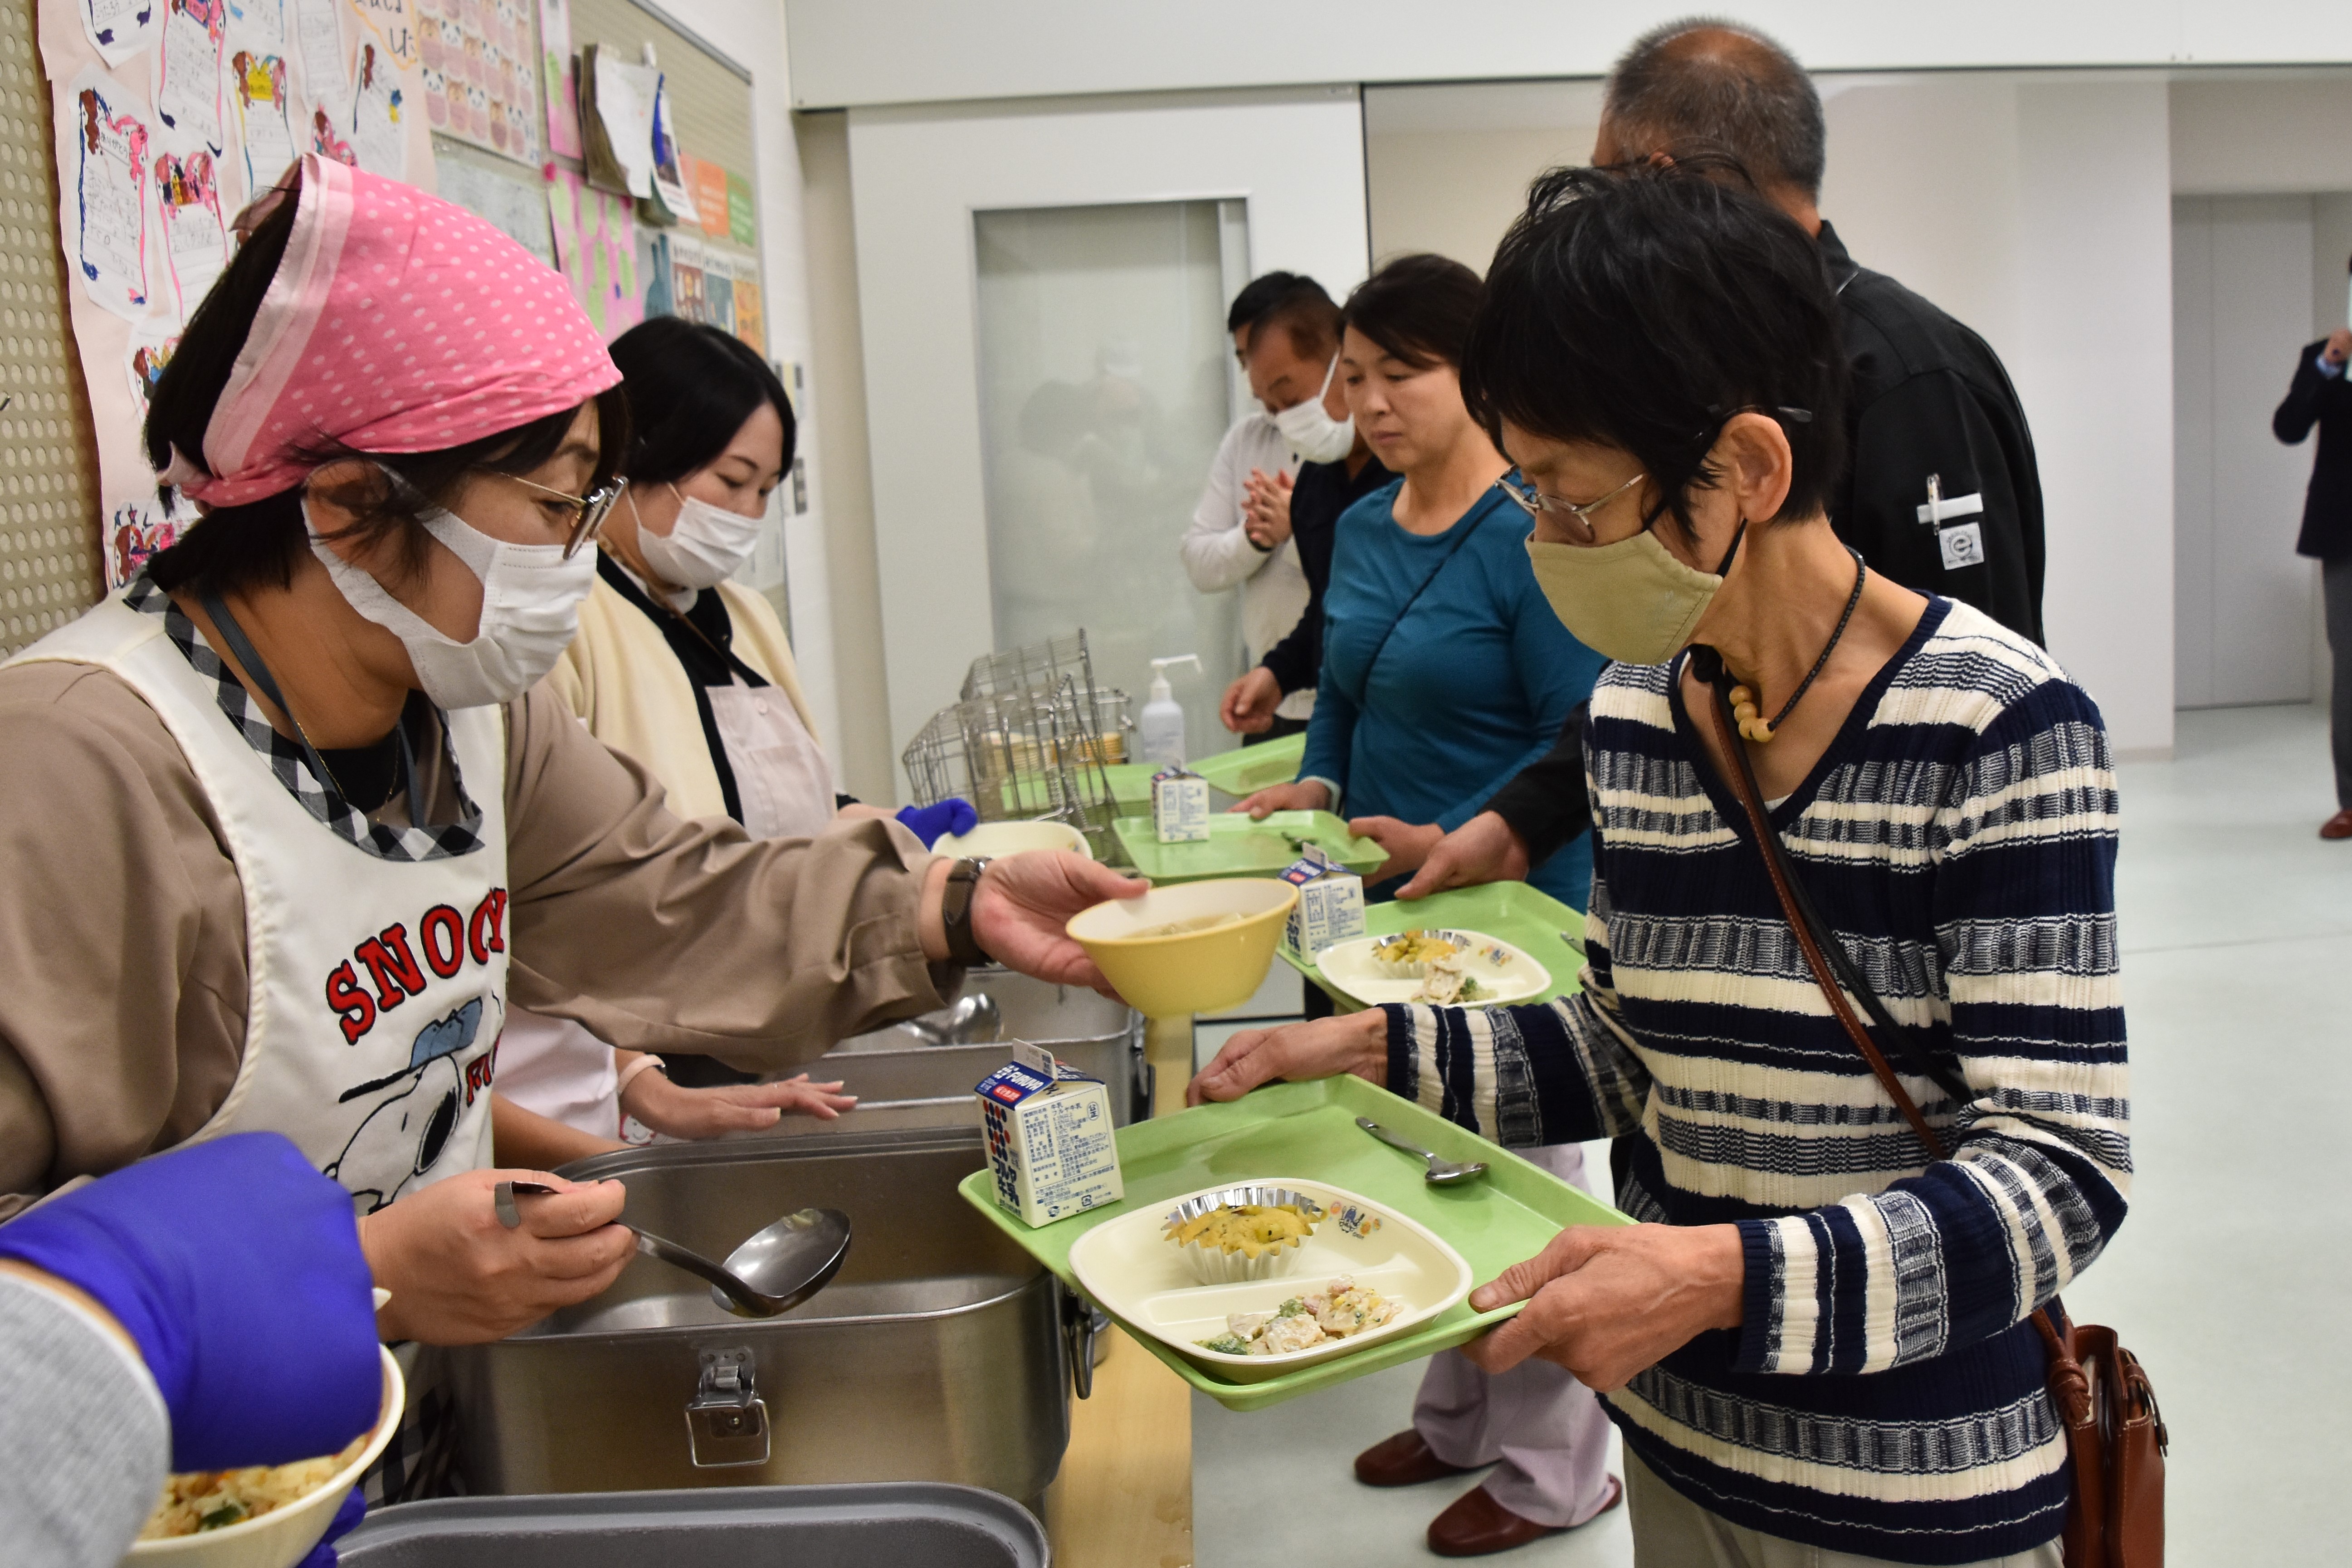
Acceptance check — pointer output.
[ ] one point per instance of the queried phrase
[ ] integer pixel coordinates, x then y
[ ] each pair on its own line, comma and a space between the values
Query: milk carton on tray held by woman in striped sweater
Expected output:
1050, 1139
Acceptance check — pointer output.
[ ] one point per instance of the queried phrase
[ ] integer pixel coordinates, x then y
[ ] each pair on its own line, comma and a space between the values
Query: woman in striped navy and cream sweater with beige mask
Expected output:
1815, 1341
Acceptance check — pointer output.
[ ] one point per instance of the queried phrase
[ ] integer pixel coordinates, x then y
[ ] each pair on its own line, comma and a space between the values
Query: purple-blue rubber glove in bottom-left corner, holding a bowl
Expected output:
236, 1268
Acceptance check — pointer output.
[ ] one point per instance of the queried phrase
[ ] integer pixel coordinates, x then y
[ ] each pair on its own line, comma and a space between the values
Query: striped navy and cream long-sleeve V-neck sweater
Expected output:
1883, 1395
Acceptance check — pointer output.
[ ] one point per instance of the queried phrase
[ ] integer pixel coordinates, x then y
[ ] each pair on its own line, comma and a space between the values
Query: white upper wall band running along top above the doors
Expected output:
937, 51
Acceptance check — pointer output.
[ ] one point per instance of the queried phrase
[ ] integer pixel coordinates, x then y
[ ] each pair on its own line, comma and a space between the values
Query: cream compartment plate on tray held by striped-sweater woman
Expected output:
1130, 1268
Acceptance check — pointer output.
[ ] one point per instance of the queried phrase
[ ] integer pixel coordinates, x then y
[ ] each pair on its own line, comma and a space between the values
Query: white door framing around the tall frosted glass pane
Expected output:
918, 175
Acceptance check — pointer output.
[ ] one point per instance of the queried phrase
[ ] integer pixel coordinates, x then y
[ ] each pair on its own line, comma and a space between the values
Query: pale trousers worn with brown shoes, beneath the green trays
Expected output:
1542, 1430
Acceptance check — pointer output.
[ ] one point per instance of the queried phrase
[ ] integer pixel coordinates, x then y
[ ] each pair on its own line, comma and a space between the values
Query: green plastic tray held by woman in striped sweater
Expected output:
1309, 1130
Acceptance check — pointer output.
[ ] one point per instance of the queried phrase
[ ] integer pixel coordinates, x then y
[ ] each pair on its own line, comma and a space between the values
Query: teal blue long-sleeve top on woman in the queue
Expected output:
1471, 688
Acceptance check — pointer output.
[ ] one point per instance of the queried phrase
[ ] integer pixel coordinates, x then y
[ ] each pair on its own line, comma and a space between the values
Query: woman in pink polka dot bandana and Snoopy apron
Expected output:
293, 817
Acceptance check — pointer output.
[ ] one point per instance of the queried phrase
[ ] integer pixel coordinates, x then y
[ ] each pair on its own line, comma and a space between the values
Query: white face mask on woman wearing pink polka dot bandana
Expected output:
530, 610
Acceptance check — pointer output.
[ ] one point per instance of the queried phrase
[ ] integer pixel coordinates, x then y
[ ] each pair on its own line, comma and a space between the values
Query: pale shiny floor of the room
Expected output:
2231, 1278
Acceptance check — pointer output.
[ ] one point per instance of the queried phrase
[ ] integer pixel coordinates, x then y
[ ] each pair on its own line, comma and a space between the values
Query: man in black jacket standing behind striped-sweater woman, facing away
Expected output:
1942, 492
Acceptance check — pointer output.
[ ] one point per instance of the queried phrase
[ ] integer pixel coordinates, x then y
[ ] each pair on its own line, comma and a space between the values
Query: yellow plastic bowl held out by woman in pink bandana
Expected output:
1194, 972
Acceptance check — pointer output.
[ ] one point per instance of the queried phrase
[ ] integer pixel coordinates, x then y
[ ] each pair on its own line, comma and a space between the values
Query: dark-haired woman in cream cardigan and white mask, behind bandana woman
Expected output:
690, 674
